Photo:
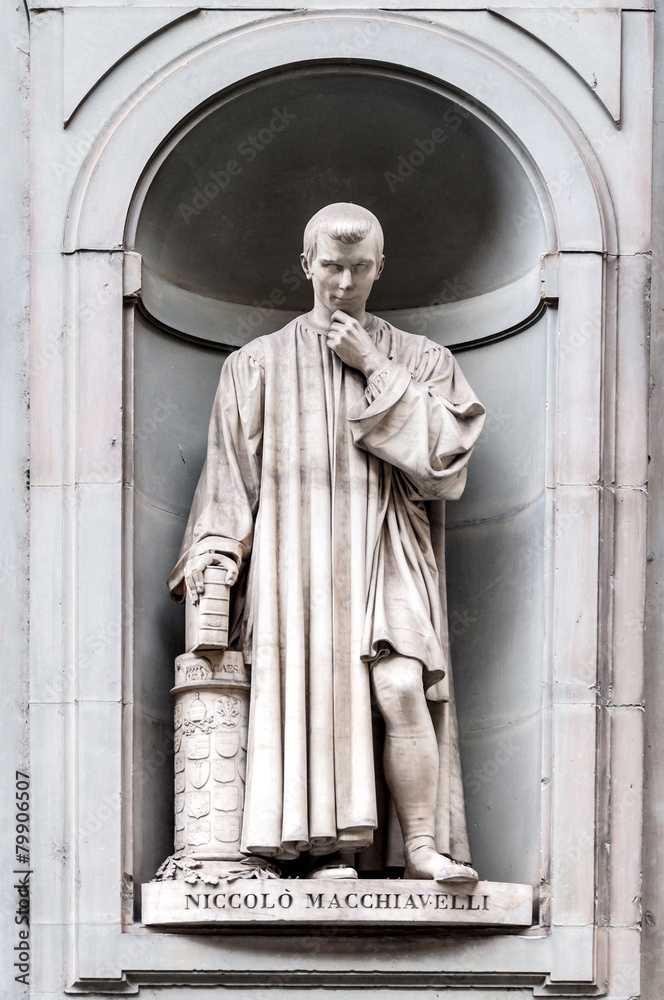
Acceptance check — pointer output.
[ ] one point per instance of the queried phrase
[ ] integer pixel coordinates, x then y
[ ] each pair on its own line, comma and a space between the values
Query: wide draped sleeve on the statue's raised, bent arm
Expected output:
422, 420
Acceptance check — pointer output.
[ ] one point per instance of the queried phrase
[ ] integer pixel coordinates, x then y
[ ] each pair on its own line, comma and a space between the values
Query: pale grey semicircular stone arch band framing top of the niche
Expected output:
574, 193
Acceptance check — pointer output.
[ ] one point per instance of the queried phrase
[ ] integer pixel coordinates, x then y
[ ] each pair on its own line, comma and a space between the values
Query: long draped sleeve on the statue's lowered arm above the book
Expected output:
222, 513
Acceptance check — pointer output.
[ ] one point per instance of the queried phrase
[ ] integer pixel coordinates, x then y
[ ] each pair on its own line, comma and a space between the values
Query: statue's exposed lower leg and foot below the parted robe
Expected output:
411, 766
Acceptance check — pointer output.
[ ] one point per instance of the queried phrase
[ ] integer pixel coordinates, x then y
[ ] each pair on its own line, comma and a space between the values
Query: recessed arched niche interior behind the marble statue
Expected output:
219, 235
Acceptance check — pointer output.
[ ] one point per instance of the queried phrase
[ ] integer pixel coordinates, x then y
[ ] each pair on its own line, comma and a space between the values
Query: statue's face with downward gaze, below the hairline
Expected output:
343, 273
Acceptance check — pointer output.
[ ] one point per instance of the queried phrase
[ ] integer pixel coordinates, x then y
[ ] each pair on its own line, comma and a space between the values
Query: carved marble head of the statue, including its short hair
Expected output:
343, 255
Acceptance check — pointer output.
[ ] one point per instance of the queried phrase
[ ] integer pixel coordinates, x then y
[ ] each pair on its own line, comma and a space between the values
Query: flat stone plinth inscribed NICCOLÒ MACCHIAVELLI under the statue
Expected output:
273, 902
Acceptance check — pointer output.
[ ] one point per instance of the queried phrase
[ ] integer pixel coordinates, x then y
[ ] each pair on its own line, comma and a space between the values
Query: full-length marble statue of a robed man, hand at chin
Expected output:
326, 441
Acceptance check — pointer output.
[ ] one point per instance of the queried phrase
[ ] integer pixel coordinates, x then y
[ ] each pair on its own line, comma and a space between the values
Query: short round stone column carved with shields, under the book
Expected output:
211, 712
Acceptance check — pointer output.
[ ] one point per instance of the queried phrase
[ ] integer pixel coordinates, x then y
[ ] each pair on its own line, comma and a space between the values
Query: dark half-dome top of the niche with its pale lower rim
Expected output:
220, 226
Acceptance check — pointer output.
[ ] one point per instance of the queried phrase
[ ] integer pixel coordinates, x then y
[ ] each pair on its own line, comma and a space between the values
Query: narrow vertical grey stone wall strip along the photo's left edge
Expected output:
14, 483
